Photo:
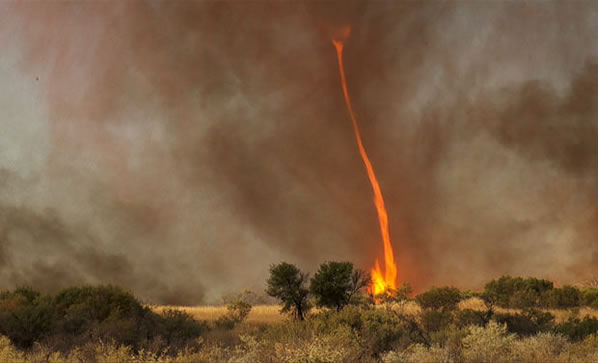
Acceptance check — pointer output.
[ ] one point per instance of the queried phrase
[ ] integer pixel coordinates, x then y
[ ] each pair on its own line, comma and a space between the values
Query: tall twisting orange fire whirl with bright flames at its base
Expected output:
388, 280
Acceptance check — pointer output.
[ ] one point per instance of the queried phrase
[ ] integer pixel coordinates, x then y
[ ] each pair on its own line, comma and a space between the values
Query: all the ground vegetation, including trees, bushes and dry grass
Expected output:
442, 324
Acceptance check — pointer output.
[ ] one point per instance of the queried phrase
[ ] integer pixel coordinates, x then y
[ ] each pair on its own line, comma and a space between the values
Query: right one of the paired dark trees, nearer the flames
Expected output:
336, 283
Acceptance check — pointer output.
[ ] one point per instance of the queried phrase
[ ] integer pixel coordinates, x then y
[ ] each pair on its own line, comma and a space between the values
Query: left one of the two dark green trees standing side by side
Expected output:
287, 284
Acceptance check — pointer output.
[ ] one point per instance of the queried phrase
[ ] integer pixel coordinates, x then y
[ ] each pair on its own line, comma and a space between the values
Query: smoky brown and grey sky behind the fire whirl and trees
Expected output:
180, 148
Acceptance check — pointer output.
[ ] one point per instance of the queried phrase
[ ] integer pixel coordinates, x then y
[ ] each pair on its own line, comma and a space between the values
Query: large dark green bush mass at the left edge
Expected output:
83, 315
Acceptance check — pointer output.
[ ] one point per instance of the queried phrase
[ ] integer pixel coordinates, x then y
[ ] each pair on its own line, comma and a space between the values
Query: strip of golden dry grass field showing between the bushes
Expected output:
266, 314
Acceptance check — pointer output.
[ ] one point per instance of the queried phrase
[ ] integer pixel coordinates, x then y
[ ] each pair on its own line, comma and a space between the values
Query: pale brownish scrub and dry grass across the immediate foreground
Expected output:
356, 334
